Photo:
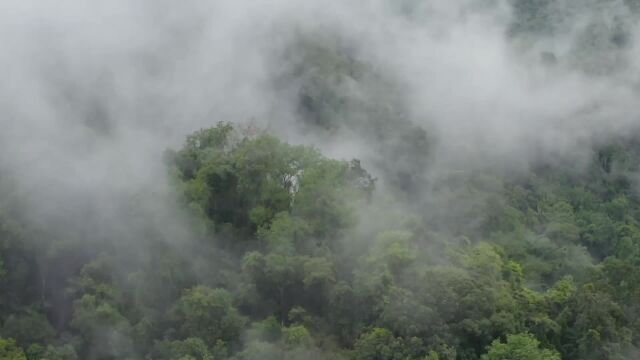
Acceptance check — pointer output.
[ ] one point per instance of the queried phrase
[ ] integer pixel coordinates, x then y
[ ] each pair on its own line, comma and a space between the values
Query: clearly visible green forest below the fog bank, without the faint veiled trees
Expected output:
549, 271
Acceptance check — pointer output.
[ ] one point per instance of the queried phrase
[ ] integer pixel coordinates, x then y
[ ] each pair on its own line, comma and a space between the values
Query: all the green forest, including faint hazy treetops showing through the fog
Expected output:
294, 255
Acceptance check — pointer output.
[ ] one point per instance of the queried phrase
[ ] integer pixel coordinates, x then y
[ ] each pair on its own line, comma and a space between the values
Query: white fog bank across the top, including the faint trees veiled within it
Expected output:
94, 93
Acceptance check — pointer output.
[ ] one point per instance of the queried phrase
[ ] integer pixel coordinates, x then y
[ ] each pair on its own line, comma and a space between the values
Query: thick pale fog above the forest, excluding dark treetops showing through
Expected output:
93, 92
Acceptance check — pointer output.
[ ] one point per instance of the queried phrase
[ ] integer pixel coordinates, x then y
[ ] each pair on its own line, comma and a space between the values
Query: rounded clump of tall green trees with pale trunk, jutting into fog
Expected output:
247, 181
